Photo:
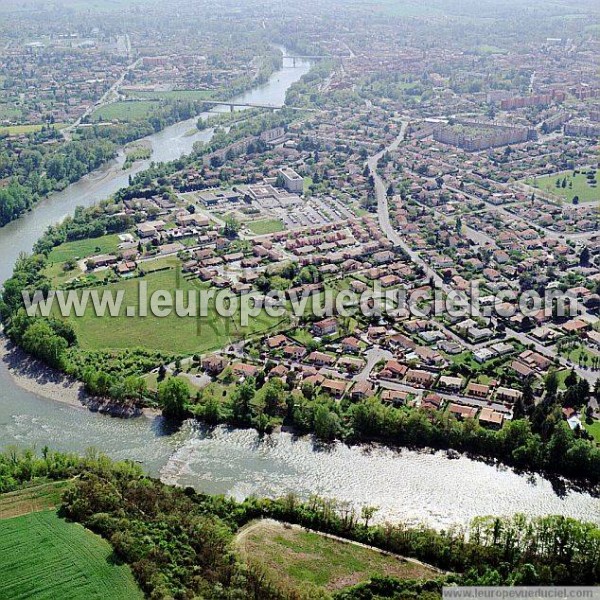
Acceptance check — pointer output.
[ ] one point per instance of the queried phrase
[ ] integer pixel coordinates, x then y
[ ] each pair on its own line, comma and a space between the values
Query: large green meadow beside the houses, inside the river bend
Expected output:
181, 335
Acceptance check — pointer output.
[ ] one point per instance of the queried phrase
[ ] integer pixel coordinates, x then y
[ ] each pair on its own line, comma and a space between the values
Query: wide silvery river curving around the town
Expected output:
406, 485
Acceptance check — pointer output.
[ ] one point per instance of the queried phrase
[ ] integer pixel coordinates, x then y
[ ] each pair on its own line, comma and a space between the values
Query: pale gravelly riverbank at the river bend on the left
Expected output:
34, 376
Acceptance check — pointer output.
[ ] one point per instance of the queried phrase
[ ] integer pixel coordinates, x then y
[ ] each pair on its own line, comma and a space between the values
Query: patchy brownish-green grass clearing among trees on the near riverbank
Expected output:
303, 560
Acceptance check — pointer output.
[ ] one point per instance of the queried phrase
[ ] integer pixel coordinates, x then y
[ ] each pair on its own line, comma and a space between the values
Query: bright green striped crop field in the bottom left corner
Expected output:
44, 557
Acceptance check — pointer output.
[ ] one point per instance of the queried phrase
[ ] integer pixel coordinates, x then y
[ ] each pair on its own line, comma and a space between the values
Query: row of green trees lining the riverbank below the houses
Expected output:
537, 439
